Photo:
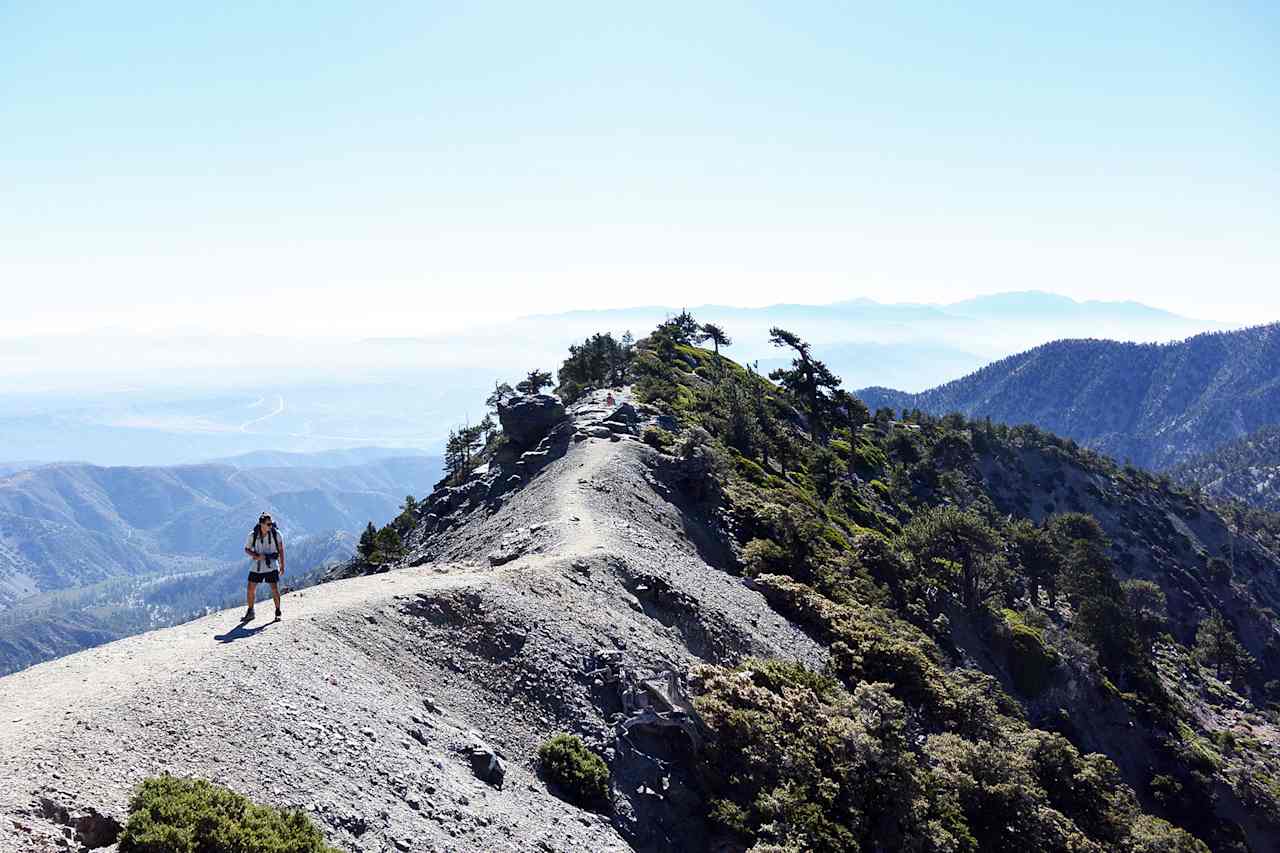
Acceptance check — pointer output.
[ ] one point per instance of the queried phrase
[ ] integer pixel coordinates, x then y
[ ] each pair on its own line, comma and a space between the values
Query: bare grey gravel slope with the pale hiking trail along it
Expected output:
556, 601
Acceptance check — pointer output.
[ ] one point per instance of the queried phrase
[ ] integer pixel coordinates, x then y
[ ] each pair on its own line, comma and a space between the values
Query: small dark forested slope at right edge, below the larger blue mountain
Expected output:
1247, 469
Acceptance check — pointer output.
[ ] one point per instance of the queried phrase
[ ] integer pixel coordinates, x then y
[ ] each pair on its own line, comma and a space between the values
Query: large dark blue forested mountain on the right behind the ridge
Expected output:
1156, 405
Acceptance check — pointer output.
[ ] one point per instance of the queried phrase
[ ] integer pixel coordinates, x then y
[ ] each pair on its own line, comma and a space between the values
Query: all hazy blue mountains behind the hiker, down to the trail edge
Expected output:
89, 554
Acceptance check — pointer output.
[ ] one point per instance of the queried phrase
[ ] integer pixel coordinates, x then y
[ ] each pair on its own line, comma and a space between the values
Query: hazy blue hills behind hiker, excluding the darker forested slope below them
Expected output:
68, 526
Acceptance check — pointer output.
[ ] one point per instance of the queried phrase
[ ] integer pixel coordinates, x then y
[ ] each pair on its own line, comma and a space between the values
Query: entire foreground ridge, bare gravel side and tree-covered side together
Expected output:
779, 619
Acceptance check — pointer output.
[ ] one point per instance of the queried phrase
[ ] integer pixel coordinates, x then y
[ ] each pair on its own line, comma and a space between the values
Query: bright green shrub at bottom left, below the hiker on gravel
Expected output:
172, 815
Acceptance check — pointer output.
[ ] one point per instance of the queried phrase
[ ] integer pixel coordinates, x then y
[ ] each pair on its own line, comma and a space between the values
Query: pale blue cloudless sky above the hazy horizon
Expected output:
166, 166
